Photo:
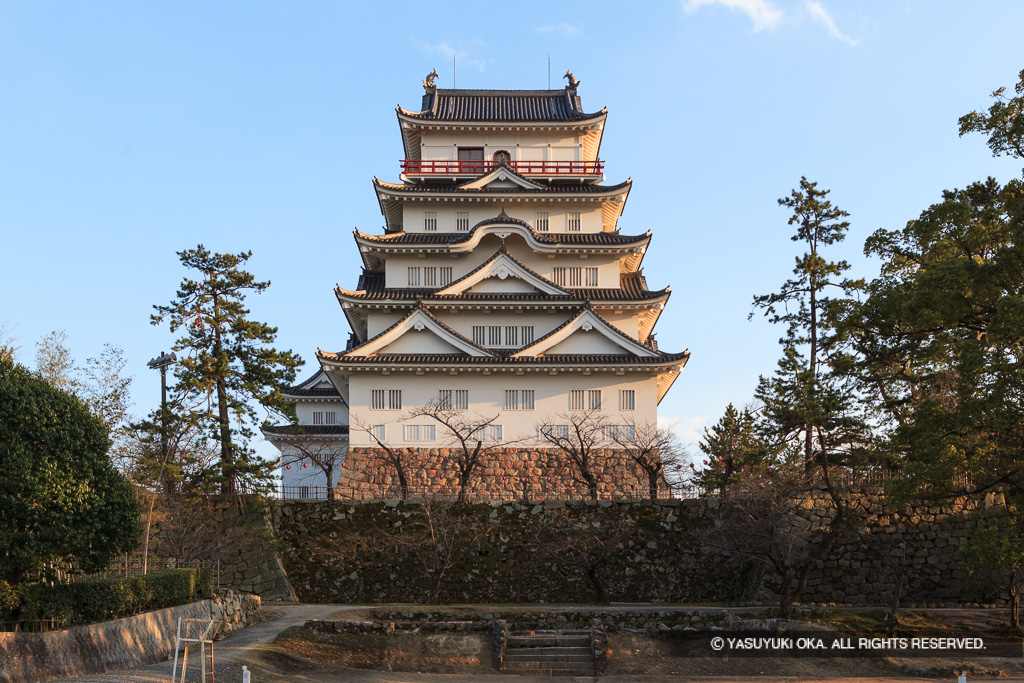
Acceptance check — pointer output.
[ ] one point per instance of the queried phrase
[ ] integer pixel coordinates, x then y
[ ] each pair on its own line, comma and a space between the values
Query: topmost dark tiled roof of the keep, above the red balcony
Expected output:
502, 106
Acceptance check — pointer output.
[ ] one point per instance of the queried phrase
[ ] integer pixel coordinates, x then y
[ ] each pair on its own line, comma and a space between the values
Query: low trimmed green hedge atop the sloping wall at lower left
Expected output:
104, 600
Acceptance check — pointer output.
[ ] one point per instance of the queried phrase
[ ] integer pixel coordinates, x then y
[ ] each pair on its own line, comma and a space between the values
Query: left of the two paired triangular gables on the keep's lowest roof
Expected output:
419, 333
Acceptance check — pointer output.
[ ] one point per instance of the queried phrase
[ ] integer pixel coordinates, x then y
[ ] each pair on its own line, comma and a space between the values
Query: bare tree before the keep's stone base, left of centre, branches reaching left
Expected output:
468, 436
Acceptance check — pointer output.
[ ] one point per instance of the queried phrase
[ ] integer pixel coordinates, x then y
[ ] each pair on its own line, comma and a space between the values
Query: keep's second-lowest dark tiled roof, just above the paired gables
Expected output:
633, 286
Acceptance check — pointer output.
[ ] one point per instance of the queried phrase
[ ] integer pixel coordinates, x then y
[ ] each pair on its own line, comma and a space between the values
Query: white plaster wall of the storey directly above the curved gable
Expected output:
590, 215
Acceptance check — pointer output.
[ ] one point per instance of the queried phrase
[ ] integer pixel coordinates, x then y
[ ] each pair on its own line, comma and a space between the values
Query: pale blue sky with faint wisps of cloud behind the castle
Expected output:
132, 131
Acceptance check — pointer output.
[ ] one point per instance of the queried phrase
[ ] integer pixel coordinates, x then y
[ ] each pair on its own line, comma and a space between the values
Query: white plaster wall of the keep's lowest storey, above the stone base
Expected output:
487, 398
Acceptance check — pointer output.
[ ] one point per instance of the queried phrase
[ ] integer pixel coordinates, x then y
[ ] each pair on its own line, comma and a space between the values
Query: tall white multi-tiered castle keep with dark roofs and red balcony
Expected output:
502, 294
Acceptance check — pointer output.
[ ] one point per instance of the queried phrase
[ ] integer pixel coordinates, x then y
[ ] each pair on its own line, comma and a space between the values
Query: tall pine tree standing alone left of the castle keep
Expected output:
229, 365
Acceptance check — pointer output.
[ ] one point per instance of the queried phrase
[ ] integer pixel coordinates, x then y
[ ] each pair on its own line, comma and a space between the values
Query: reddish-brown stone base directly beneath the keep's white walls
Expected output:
509, 474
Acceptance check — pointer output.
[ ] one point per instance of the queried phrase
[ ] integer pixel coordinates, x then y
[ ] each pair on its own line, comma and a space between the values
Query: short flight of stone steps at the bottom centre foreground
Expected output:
550, 654
